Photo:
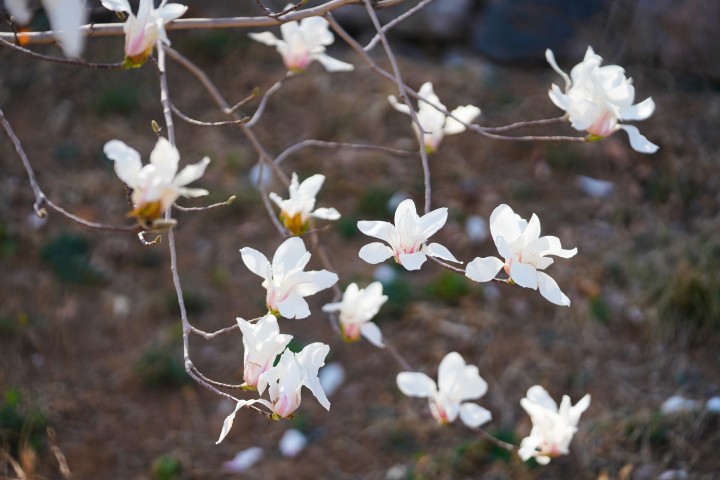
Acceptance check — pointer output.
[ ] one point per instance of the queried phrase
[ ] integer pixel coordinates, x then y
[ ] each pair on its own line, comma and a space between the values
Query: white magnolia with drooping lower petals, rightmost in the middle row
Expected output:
525, 253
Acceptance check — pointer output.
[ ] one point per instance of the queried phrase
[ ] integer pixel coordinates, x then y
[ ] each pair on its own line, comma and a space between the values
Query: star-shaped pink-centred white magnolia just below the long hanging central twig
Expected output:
406, 238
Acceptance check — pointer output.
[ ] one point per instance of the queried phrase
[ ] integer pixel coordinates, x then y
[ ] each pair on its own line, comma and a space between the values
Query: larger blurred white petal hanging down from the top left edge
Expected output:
66, 18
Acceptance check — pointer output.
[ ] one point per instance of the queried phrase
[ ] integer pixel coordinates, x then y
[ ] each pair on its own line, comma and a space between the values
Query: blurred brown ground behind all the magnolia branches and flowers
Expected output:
91, 372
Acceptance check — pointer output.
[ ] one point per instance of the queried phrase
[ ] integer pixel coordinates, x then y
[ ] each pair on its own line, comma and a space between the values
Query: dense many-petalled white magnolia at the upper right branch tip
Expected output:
597, 98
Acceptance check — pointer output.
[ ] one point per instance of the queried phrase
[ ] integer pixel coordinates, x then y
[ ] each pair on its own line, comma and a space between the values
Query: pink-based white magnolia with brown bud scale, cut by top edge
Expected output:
145, 30
